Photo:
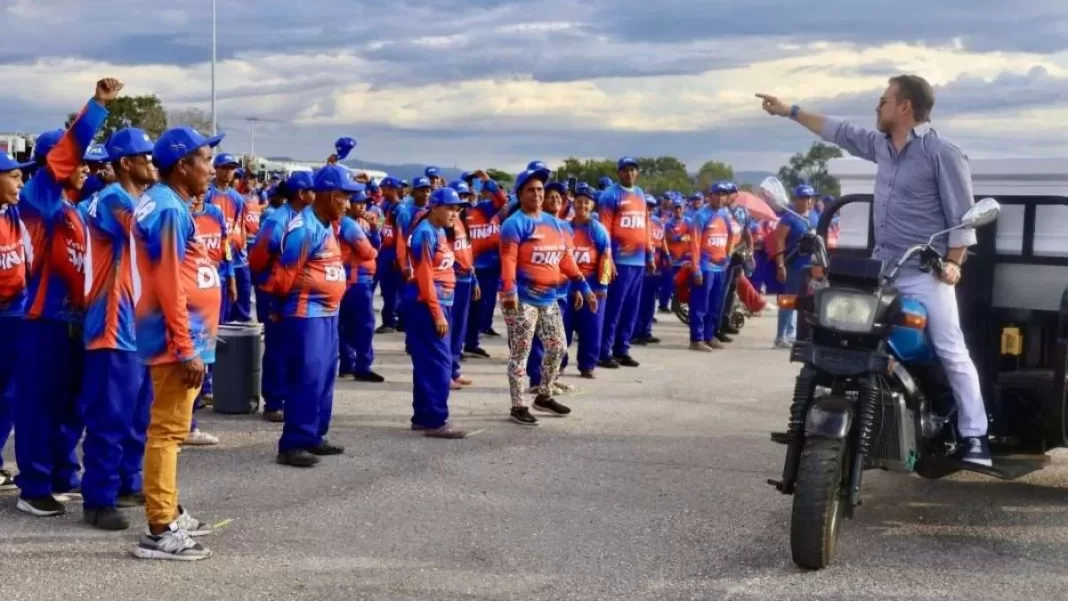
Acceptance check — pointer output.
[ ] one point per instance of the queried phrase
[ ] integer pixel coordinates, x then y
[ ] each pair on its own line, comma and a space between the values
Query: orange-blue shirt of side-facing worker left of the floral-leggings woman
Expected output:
434, 274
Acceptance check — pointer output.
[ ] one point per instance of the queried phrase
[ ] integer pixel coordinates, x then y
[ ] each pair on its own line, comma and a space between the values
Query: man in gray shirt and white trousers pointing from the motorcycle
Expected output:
923, 186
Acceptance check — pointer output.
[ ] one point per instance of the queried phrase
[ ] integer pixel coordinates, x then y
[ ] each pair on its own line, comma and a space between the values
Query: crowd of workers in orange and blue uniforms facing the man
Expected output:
121, 260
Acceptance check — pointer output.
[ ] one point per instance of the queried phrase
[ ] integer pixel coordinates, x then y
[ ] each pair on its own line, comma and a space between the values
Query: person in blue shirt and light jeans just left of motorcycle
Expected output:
790, 261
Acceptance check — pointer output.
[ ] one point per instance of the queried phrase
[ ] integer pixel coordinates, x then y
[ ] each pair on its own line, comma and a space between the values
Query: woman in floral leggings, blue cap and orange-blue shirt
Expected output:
536, 262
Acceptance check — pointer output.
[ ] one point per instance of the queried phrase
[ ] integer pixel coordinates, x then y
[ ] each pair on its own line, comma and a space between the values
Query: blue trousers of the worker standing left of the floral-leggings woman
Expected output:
432, 366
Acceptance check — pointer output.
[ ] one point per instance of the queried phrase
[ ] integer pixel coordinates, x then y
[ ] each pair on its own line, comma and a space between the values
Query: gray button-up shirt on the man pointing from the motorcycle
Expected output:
923, 189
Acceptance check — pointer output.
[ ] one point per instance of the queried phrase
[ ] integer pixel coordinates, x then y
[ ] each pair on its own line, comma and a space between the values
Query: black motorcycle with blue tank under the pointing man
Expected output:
871, 393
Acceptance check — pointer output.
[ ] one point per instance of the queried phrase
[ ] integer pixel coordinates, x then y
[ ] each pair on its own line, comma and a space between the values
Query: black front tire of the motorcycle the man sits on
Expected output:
819, 505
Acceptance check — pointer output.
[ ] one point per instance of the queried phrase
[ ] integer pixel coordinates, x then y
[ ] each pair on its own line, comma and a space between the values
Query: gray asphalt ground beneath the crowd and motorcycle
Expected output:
655, 488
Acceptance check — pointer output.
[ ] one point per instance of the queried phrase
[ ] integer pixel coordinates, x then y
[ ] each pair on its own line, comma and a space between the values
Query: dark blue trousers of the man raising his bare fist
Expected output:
49, 376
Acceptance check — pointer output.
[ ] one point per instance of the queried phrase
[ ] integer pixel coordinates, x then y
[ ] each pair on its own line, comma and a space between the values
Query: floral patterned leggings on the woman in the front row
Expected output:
524, 323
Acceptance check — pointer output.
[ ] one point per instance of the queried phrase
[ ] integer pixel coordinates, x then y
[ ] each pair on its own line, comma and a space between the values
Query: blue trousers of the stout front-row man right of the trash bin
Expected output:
310, 352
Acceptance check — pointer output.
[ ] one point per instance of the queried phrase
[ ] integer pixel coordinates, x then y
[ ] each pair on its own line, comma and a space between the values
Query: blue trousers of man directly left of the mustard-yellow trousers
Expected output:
116, 402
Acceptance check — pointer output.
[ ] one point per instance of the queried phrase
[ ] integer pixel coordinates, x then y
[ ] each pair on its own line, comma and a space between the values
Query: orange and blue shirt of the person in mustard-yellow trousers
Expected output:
178, 310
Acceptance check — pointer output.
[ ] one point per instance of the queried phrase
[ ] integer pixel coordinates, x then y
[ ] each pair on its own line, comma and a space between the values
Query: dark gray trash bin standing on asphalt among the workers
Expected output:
237, 371
